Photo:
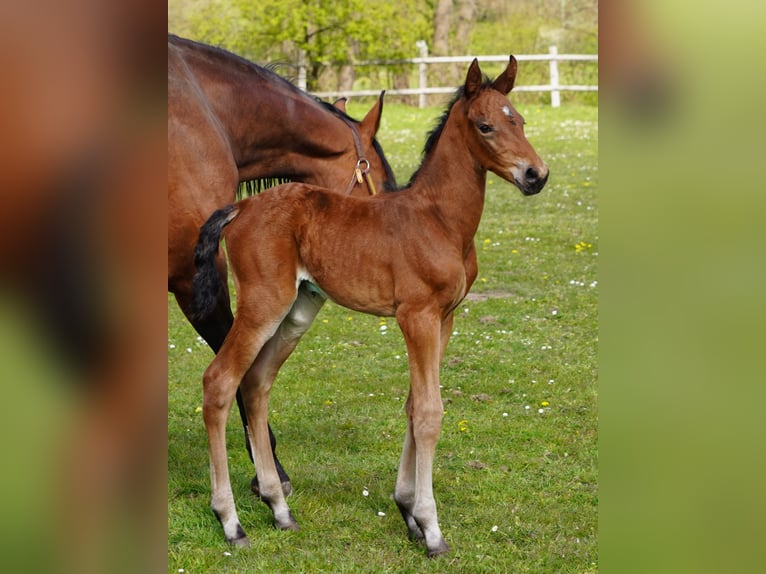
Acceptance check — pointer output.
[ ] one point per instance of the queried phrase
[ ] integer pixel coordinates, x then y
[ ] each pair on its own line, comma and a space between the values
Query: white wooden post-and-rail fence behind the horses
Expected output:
554, 86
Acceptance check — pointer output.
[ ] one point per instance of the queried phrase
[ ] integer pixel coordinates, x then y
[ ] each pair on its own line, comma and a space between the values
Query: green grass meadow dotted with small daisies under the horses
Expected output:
516, 488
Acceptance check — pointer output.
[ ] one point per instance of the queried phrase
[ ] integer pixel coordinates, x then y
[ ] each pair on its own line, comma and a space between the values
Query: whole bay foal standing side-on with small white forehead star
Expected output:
407, 254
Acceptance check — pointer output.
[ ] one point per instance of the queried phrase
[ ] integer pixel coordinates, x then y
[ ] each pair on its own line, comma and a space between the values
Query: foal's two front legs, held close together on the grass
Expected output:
422, 331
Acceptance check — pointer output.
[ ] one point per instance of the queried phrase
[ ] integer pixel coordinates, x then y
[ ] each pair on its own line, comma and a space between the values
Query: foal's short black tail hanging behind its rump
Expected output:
207, 285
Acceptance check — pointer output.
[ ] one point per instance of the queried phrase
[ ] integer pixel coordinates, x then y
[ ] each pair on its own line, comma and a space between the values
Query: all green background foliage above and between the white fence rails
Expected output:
332, 33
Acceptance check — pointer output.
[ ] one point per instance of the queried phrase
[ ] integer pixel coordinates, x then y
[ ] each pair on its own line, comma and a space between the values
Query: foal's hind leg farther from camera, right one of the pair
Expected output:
258, 384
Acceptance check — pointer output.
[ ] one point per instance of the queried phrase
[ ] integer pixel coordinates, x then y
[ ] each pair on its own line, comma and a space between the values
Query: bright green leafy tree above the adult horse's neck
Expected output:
324, 33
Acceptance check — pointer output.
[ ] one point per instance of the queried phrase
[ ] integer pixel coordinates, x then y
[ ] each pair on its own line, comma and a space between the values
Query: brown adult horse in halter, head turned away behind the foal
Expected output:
231, 121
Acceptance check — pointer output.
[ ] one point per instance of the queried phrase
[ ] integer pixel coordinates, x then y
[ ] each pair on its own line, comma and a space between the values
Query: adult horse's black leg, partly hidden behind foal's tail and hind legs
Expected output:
213, 329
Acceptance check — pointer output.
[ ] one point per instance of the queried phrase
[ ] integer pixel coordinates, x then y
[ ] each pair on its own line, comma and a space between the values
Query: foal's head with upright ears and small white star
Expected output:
495, 130
